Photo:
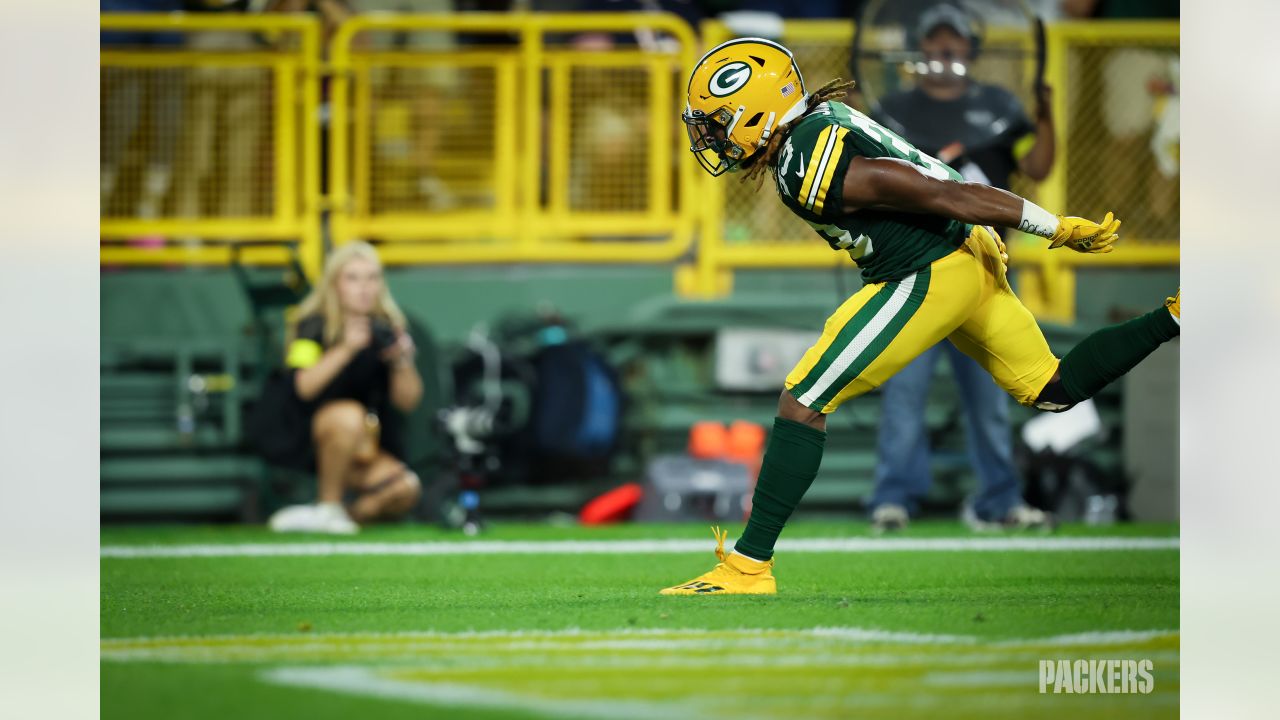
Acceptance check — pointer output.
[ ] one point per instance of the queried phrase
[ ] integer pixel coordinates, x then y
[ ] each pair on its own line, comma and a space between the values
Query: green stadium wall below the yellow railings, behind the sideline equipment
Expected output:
149, 470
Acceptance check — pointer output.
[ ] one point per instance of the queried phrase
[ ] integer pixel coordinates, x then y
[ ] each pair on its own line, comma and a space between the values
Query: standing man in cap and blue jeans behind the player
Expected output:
982, 131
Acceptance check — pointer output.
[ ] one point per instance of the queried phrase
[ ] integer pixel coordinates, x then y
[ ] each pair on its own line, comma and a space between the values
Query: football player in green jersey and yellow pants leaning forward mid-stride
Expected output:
934, 270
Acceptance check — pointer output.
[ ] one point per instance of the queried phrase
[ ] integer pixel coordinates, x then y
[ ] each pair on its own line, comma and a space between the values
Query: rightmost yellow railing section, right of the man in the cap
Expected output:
1104, 115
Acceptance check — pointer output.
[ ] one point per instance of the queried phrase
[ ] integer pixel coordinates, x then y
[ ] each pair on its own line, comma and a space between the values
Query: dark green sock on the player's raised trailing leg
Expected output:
1113, 352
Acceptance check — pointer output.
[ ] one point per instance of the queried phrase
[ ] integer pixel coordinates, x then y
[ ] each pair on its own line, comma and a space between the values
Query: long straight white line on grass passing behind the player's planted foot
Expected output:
637, 546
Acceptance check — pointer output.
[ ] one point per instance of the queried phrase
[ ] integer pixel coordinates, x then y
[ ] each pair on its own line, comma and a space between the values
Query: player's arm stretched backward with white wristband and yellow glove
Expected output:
898, 185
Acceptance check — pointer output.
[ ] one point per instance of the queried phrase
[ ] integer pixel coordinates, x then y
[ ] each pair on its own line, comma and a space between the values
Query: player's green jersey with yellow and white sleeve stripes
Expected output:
888, 245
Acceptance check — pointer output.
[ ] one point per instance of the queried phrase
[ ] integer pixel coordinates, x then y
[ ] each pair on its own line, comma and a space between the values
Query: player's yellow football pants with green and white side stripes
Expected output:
963, 298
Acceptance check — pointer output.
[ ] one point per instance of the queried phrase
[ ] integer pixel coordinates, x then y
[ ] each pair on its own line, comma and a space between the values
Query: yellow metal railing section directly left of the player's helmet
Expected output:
533, 152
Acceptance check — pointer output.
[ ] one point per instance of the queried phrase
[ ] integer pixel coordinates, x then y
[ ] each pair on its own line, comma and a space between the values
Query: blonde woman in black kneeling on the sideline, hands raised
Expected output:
351, 364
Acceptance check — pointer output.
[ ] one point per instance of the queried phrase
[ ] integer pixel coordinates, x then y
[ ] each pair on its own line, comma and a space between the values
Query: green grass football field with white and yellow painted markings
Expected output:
543, 622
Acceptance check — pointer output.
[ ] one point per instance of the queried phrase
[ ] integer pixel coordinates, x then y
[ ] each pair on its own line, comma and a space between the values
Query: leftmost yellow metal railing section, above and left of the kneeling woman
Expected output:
252, 179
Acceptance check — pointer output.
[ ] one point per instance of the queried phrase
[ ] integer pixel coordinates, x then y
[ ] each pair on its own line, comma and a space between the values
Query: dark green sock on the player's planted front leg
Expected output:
789, 468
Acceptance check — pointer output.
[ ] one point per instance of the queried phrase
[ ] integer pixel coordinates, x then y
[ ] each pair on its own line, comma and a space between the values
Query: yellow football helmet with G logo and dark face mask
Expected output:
738, 94
